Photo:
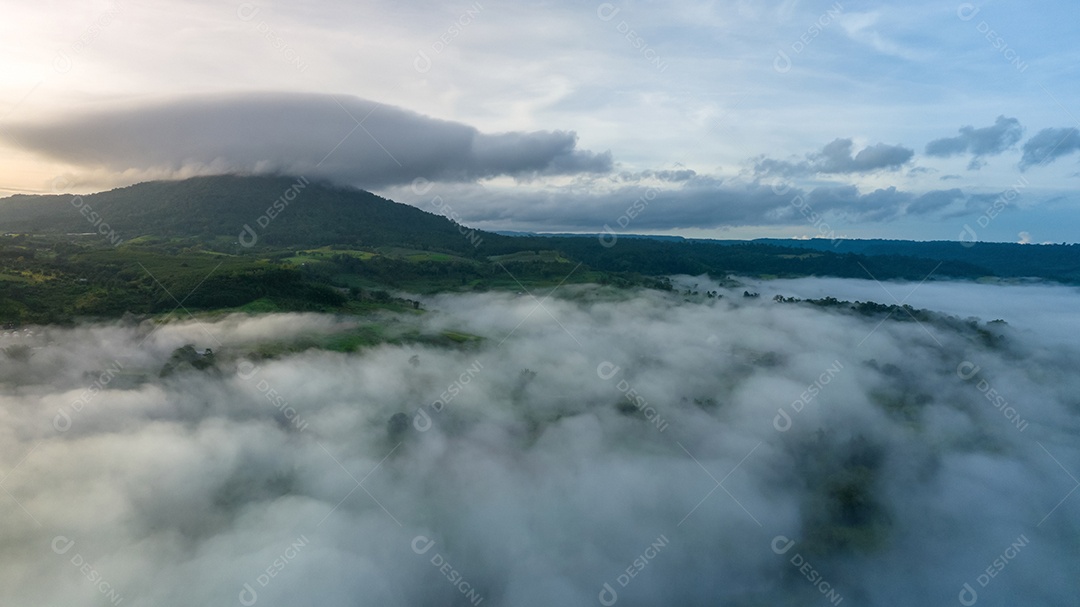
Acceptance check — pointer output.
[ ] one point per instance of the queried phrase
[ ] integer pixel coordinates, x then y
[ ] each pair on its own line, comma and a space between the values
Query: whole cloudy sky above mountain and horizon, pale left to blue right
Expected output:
796, 119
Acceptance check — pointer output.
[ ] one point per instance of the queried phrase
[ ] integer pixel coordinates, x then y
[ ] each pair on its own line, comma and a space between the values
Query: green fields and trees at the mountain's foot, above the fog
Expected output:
61, 280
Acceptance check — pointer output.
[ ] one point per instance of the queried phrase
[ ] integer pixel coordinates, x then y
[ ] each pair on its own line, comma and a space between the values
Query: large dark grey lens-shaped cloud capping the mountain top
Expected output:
348, 140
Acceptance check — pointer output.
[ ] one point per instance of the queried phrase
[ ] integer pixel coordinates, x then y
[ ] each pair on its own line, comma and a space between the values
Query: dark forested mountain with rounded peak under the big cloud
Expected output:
280, 211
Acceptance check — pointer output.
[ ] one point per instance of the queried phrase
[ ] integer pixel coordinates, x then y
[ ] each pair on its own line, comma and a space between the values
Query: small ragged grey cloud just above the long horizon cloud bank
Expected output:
836, 158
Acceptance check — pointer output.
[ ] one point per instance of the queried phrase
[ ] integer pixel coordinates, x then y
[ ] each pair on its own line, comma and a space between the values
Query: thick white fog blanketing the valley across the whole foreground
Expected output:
598, 447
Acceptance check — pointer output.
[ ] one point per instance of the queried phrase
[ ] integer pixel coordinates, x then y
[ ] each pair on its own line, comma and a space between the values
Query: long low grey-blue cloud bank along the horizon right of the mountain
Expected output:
632, 204
